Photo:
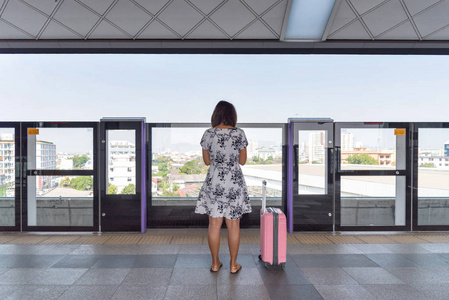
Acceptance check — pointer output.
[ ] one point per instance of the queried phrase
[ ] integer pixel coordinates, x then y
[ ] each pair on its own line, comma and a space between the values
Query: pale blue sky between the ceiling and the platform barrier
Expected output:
186, 88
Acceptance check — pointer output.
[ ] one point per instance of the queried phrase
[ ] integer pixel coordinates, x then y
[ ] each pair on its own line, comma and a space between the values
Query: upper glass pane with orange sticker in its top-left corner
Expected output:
60, 149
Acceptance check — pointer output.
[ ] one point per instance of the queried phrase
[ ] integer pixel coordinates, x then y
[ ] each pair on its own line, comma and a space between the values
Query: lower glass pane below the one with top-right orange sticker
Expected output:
373, 200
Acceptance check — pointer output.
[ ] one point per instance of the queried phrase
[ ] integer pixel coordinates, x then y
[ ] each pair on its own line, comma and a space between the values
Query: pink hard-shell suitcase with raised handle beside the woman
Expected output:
273, 234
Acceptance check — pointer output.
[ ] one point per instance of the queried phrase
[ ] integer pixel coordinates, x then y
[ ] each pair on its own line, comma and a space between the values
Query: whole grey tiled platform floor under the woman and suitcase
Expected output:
174, 264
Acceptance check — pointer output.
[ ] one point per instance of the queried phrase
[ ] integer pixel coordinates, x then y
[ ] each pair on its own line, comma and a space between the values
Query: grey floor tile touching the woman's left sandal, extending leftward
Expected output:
193, 277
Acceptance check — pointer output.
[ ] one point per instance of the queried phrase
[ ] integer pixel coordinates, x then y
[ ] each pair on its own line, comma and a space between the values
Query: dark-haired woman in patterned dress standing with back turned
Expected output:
224, 192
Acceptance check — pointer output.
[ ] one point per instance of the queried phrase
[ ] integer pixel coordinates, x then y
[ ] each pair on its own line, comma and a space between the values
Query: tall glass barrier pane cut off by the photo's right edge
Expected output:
433, 176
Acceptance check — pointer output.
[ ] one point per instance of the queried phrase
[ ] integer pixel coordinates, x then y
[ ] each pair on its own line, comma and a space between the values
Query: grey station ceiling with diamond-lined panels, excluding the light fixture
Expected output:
203, 25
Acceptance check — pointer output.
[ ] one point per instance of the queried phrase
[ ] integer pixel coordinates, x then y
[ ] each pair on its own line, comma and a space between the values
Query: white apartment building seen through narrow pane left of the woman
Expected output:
122, 164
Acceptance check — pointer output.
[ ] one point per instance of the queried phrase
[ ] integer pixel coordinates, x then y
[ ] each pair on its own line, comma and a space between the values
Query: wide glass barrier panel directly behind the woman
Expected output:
178, 170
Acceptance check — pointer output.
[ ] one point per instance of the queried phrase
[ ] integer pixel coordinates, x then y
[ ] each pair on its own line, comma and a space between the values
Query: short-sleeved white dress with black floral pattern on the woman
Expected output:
224, 192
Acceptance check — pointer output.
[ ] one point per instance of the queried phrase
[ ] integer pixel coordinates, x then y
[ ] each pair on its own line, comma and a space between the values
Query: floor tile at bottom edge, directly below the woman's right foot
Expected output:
242, 292
